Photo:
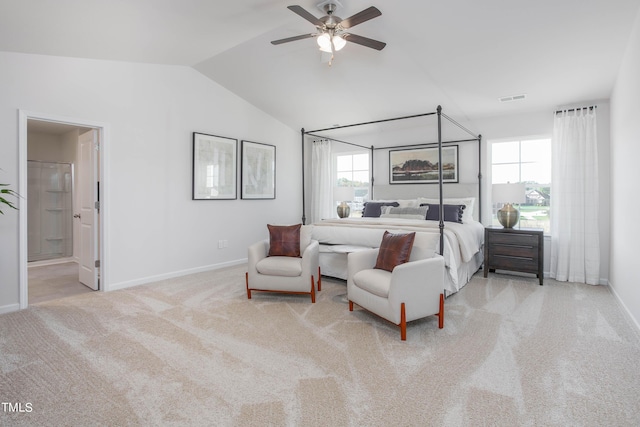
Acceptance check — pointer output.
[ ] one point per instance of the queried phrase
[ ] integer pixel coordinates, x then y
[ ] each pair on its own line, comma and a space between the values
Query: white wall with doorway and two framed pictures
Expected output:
153, 227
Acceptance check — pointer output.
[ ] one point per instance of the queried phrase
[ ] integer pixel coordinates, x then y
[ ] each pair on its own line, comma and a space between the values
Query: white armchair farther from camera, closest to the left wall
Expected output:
285, 274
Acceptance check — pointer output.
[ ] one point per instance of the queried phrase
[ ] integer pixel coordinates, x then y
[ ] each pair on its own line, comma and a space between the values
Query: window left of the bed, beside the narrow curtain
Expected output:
352, 171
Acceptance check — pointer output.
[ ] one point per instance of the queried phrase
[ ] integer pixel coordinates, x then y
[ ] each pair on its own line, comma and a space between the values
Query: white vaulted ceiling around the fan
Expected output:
461, 54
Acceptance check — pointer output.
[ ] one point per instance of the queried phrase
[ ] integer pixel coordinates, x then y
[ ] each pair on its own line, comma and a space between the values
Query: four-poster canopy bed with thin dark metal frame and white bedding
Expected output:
446, 217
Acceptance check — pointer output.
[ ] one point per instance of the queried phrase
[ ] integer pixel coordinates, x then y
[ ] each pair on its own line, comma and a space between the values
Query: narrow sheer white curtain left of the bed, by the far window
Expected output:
322, 205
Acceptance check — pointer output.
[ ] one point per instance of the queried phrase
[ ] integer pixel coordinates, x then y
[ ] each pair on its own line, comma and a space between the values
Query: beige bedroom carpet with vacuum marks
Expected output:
195, 351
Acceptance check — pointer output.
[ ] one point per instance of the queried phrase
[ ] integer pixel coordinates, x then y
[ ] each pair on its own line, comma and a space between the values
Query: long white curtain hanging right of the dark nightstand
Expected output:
575, 246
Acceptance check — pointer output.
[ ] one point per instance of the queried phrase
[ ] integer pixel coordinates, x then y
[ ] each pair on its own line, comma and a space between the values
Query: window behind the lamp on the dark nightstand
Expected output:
527, 161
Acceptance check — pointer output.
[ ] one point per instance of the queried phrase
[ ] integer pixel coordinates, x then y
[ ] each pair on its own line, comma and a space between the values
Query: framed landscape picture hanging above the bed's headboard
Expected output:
420, 165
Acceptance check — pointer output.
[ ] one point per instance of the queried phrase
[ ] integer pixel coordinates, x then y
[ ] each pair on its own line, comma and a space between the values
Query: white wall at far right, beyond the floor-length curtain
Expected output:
625, 152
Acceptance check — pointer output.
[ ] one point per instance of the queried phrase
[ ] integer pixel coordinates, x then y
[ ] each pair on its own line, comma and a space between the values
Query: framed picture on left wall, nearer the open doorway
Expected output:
215, 167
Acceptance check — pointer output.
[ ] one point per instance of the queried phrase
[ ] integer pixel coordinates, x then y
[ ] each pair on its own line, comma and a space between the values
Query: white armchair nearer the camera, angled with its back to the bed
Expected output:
413, 290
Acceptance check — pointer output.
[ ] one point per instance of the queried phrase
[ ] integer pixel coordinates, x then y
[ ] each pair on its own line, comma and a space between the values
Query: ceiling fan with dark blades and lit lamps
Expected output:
331, 30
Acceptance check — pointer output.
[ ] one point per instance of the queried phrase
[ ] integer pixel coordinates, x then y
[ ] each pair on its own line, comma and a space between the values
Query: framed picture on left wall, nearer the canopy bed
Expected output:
258, 171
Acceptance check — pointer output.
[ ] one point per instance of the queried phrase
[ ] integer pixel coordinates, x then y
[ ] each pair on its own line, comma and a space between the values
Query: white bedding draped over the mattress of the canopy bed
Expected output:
462, 241
